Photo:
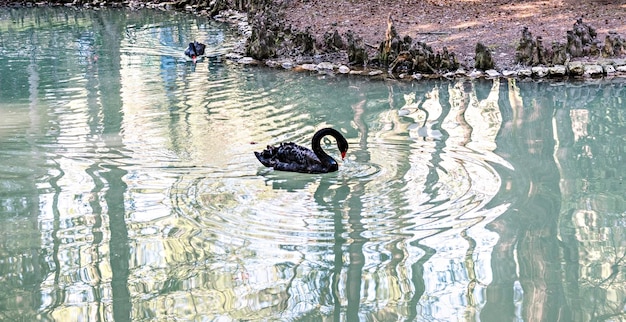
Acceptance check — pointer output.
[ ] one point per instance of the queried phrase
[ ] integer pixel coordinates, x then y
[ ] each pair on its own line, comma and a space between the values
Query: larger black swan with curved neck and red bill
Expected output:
295, 158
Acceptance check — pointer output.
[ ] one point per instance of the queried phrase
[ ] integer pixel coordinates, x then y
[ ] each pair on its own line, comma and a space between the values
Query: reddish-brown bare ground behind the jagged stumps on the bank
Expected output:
460, 24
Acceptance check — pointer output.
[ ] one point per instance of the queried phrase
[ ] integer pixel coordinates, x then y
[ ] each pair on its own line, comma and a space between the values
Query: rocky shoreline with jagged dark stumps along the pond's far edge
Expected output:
266, 40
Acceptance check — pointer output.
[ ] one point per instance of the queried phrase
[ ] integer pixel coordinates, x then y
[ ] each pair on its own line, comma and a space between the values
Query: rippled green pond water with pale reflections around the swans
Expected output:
129, 189
